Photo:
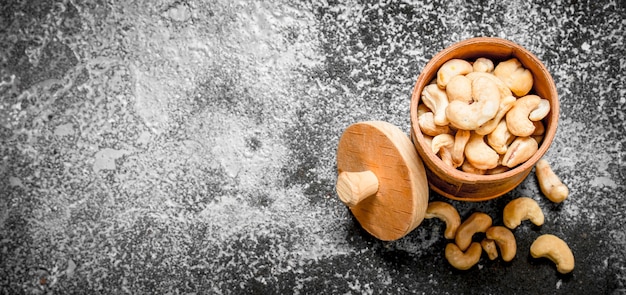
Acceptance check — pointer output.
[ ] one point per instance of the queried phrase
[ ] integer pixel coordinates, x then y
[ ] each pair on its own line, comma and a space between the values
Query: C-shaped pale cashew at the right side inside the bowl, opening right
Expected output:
517, 118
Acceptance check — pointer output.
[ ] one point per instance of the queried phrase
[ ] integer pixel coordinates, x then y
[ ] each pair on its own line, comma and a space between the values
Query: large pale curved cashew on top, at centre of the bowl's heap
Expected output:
485, 106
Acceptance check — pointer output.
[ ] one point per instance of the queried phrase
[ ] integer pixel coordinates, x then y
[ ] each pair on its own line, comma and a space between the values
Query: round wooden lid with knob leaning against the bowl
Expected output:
381, 179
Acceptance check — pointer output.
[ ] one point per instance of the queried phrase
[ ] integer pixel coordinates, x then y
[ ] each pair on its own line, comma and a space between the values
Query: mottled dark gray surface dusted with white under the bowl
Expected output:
189, 146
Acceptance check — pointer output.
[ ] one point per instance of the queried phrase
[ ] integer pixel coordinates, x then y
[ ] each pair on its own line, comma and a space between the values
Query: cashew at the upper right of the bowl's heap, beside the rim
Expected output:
515, 76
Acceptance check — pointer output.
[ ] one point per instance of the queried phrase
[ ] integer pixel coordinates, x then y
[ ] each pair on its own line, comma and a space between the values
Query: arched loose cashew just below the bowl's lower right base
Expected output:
520, 209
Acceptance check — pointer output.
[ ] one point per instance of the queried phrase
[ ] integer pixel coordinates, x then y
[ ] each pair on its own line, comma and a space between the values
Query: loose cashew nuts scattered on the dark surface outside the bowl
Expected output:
463, 252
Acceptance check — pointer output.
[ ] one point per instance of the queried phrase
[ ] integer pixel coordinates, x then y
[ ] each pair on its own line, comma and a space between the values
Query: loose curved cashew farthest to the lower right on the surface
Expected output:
555, 249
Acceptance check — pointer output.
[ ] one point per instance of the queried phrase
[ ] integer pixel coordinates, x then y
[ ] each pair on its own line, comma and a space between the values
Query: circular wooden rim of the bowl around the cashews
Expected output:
516, 50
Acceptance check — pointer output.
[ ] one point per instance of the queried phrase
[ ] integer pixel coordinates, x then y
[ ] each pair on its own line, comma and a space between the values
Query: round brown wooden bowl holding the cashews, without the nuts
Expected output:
456, 184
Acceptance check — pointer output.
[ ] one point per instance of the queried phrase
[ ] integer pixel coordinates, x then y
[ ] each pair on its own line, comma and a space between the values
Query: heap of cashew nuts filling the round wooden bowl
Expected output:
480, 118
